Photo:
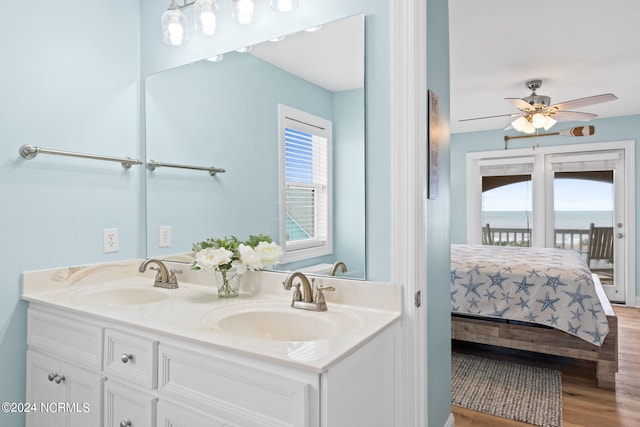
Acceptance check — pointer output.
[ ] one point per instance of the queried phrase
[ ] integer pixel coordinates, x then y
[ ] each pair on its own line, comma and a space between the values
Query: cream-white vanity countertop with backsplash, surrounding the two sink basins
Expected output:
357, 310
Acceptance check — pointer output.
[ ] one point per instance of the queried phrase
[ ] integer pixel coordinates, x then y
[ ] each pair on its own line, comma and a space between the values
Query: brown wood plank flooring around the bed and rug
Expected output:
584, 403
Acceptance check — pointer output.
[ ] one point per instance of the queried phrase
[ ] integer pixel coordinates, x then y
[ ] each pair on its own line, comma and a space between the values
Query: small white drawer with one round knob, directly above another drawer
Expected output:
130, 357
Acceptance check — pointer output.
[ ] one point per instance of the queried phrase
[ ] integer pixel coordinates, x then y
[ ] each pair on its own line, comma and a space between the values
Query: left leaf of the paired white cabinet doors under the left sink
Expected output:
41, 390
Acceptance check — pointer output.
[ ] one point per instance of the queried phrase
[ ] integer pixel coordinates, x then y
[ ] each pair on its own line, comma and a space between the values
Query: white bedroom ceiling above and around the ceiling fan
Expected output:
578, 48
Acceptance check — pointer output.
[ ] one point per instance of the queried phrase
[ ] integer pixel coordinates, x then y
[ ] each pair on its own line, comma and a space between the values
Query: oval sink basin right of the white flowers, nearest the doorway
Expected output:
279, 322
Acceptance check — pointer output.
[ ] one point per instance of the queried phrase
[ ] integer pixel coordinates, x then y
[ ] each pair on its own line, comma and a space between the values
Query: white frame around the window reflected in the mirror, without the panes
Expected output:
301, 250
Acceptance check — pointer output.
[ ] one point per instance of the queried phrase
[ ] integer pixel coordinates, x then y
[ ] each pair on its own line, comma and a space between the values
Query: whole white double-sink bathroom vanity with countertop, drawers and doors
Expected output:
109, 349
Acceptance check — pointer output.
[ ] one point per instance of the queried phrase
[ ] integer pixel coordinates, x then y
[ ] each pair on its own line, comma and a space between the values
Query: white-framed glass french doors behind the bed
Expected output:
551, 196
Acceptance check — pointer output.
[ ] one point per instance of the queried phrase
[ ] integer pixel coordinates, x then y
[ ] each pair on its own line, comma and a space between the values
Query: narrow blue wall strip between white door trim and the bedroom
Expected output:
438, 234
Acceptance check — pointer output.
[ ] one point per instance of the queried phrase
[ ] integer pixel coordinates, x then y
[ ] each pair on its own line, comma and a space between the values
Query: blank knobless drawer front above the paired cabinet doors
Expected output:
67, 337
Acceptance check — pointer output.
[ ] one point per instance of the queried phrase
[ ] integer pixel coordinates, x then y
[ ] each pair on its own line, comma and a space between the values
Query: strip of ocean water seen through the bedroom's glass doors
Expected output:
564, 219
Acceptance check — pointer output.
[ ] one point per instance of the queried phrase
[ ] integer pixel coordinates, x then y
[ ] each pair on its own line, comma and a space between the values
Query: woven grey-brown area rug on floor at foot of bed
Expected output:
510, 390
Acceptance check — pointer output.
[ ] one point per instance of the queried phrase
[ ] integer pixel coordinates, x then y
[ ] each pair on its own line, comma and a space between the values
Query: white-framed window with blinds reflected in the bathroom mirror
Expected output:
305, 223
